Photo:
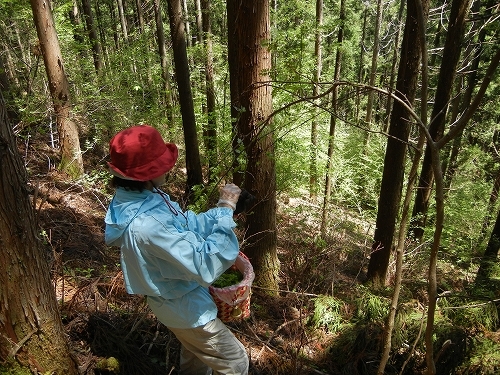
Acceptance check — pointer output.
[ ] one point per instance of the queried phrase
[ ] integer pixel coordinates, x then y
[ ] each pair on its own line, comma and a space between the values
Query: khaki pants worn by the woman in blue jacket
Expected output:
211, 347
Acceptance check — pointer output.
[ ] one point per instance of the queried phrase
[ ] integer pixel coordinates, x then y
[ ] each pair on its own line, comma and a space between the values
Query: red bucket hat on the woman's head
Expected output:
139, 153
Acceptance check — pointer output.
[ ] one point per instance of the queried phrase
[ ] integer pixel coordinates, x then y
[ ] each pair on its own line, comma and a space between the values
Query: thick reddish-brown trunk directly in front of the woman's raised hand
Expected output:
251, 24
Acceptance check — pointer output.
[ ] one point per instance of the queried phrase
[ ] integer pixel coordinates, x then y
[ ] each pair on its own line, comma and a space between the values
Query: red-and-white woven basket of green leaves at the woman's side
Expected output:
233, 302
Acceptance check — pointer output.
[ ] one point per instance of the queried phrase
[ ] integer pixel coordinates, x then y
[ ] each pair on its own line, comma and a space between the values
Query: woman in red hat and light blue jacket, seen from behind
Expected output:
172, 256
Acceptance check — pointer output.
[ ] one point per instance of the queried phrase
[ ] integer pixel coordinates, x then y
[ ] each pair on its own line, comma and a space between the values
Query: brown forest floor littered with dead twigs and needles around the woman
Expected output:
103, 321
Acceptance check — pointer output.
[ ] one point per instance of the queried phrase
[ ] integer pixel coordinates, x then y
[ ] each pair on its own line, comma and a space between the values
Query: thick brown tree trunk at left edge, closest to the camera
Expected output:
32, 336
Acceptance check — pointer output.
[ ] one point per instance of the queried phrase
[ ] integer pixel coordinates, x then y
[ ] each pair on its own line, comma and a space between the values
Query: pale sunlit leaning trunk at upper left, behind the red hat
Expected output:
69, 142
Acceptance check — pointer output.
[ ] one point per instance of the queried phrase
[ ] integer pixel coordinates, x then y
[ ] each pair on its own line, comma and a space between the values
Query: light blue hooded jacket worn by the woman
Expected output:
170, 255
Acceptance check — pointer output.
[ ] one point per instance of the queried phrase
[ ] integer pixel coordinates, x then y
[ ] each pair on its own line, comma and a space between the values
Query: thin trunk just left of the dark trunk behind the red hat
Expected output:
165, 74
